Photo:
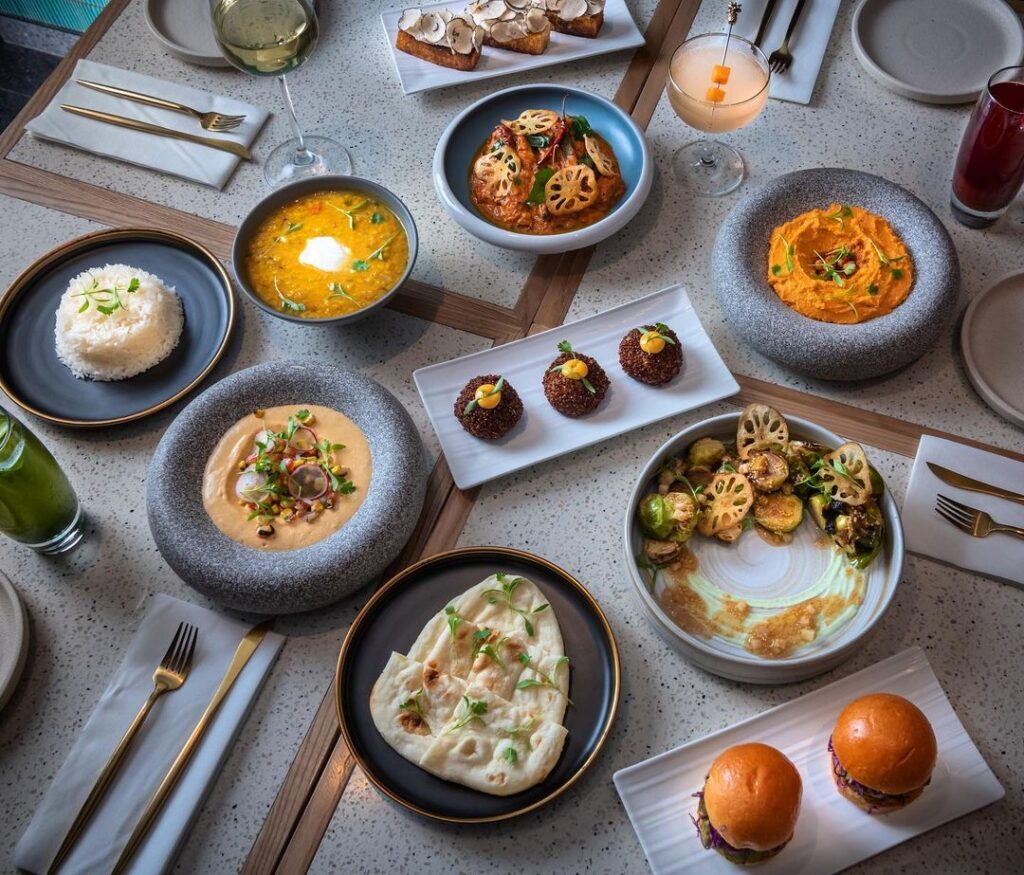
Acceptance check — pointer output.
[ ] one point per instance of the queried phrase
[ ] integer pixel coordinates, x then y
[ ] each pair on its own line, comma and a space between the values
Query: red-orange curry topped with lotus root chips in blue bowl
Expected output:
545, 174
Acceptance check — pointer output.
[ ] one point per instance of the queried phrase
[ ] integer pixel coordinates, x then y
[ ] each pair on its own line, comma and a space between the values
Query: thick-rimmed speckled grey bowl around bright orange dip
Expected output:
820, 349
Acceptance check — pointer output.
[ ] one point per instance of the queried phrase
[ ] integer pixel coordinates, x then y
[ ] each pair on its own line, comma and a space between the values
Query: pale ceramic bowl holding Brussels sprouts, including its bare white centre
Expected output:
752, 569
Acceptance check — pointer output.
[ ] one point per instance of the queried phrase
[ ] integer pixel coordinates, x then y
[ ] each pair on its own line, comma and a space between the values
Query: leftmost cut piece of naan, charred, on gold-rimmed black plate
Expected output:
410, 703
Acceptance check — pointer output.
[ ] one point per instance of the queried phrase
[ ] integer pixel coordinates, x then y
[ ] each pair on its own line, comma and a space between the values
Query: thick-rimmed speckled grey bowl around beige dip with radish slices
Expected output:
286, 582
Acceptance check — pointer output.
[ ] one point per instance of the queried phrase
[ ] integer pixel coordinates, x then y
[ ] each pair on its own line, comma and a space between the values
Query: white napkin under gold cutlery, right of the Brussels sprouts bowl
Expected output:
998, 556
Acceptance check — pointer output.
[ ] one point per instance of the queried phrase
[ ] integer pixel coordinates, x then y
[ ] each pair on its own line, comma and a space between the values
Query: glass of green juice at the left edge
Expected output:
38, 507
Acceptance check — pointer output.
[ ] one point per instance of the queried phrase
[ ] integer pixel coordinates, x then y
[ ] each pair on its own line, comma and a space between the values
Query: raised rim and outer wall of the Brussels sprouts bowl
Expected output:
731, 661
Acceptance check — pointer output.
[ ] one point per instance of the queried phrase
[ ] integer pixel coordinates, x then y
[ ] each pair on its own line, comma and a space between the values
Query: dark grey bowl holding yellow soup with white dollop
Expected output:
286, 194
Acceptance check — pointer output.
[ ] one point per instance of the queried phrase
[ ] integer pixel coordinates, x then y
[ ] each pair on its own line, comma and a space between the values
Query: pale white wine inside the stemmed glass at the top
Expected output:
266, 37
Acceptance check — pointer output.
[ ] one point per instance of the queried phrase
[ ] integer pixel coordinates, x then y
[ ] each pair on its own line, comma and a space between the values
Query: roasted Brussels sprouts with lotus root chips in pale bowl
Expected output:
764, 481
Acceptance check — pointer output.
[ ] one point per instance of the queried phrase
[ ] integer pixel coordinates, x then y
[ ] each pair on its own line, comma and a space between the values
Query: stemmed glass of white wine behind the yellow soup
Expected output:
272, 38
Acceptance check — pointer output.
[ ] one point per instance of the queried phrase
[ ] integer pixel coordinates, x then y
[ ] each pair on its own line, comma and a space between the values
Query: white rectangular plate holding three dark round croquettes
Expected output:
543, 433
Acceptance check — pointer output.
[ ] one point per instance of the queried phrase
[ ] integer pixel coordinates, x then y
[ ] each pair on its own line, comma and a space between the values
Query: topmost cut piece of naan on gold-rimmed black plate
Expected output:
513, 604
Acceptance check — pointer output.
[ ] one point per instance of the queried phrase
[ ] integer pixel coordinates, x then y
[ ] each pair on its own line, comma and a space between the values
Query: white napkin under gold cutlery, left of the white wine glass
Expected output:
209, 166
